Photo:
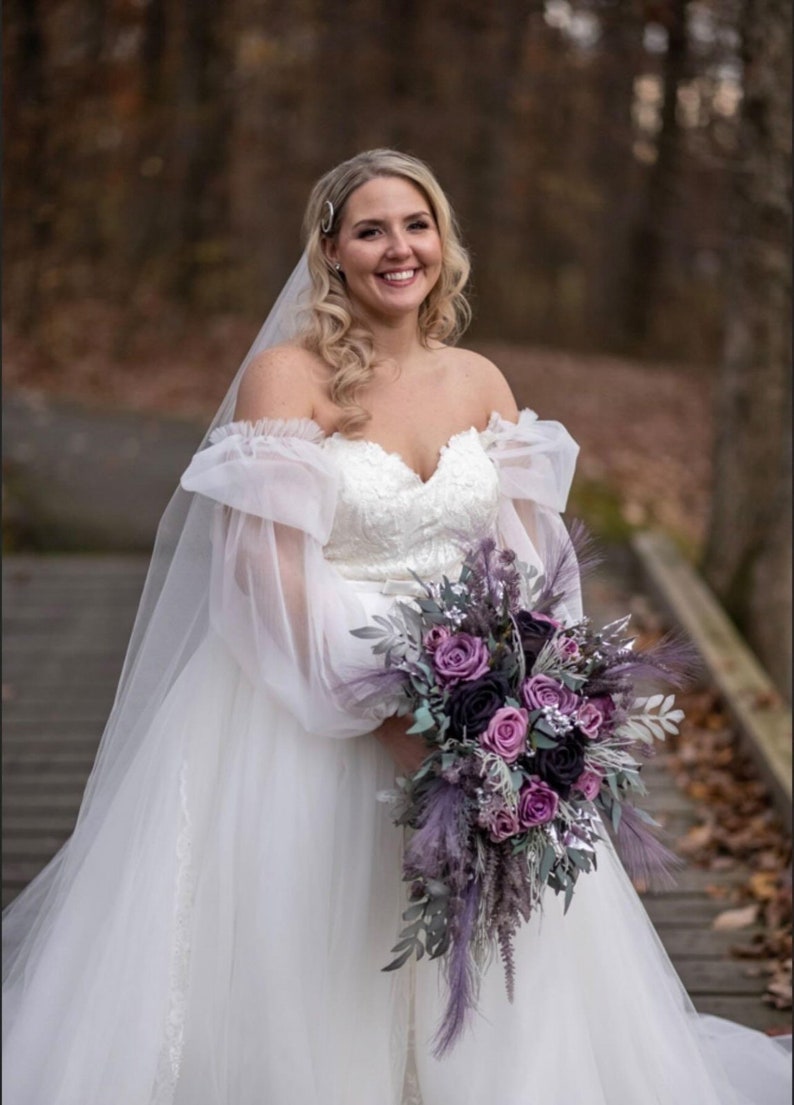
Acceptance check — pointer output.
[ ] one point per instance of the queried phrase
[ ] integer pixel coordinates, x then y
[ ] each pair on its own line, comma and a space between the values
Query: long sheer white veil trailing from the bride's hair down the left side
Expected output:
172, 622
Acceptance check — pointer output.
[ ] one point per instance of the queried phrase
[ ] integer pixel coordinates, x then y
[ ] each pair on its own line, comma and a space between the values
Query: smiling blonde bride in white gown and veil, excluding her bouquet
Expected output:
214, 933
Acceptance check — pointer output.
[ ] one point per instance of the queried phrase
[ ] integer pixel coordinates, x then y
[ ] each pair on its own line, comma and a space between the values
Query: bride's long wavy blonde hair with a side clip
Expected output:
332, 331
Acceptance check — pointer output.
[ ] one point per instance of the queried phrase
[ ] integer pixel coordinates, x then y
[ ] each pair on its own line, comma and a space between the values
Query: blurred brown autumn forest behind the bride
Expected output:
621, 172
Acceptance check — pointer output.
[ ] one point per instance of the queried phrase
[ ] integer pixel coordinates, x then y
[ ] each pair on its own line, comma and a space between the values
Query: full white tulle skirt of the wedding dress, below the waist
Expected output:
223, 944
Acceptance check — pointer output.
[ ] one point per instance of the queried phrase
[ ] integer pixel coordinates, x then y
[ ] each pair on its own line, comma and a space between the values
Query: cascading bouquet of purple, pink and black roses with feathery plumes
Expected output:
535, 740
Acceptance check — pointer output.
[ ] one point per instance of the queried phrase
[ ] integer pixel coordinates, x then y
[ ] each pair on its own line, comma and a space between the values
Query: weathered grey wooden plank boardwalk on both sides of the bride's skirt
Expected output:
67, 622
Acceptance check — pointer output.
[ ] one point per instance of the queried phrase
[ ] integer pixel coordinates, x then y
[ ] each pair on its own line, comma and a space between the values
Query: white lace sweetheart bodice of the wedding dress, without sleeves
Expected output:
389, 522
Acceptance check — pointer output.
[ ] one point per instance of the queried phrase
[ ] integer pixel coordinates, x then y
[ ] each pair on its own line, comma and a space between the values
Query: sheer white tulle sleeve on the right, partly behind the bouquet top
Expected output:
536, 461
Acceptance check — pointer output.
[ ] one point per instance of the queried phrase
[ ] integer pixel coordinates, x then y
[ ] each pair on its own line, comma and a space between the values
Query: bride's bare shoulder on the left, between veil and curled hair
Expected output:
280, 383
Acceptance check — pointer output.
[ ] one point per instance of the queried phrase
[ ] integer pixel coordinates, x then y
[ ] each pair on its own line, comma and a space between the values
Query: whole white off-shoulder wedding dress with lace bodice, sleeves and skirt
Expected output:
220, 941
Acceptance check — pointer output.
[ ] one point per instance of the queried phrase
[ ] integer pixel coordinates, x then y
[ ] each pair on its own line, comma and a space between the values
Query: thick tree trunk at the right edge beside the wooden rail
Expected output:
749, 552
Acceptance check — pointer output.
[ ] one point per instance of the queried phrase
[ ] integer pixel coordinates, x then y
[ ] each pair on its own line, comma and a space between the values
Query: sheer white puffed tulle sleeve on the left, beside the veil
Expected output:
281, 607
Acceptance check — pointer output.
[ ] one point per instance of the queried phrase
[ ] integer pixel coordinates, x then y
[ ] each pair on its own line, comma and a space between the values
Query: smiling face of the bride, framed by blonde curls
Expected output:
388, 247
